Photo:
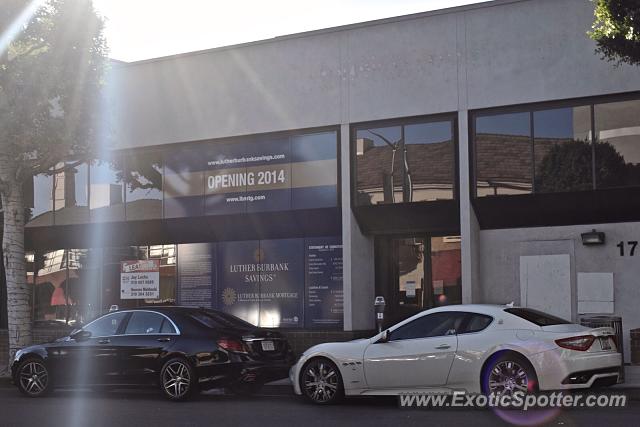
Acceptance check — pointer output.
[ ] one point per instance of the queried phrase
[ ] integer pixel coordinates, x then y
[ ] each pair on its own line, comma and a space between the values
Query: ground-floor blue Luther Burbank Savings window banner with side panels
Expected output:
288, 283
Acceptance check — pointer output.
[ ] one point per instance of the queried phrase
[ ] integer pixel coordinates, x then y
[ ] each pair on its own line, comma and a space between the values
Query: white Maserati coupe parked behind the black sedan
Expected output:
475, 348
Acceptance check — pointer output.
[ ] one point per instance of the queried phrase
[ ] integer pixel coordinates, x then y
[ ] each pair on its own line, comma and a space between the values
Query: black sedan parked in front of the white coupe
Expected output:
180, 349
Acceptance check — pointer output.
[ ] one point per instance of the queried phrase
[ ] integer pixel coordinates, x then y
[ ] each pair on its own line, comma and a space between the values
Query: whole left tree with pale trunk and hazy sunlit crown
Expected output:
52, 58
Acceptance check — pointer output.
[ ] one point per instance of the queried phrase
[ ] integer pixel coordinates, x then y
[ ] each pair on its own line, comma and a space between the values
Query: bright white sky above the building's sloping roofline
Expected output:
143, 29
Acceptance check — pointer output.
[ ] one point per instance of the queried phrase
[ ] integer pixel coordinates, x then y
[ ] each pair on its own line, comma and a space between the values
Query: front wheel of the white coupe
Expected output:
321, 382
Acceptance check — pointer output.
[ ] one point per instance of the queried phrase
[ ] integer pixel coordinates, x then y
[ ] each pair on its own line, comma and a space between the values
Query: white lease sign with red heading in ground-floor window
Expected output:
140, 279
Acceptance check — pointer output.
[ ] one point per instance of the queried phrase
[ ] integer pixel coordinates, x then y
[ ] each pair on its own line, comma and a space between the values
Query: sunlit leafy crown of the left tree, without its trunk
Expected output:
50, 79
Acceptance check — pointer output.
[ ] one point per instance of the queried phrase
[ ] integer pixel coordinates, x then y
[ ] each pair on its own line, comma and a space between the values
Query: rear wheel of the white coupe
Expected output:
508, 372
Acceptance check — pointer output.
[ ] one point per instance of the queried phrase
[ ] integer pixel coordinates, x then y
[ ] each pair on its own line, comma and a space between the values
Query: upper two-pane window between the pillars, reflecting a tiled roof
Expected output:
406, 162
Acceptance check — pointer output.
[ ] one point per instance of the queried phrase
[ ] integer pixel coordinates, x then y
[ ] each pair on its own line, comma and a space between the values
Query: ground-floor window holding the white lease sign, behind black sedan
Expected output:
73, 286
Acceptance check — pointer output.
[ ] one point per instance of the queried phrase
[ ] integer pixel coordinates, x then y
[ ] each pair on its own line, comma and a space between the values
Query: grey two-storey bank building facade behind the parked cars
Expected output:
453, 156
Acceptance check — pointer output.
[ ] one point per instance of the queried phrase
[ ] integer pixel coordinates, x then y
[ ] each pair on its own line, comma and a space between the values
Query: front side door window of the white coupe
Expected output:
431, 325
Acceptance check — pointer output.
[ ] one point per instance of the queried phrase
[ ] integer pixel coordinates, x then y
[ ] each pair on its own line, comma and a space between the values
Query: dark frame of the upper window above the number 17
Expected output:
531, 108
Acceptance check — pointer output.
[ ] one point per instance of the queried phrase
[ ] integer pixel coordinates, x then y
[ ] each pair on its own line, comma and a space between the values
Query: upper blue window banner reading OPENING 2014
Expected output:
297, 172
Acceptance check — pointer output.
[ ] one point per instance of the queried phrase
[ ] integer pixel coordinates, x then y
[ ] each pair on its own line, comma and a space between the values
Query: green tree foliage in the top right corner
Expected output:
616, 30
